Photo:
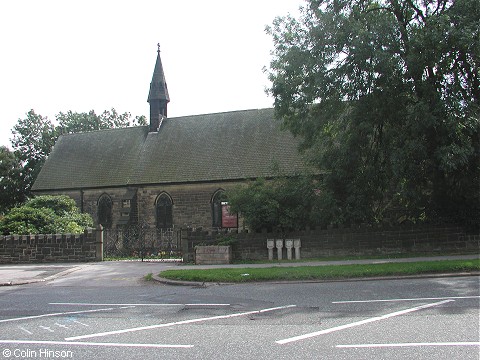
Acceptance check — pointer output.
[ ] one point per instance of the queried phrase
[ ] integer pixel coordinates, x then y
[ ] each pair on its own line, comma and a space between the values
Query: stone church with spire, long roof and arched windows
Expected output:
172, 173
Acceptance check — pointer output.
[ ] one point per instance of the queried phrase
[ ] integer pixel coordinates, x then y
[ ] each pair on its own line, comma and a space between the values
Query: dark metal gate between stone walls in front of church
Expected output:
139, 242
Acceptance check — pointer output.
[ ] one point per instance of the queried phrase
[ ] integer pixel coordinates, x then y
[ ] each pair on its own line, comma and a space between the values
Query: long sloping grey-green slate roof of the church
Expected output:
212, 147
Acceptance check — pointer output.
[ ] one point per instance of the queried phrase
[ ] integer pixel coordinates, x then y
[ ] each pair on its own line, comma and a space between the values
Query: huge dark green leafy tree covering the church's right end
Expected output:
385, 95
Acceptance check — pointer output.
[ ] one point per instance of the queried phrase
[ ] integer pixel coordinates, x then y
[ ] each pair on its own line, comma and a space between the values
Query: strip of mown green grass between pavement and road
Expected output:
328, 272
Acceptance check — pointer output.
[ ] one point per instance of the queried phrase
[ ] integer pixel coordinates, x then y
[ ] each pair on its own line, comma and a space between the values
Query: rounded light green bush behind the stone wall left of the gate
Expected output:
45, 215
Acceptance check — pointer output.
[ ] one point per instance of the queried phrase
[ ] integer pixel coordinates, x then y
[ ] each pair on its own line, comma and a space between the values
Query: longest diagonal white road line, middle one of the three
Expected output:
191, 321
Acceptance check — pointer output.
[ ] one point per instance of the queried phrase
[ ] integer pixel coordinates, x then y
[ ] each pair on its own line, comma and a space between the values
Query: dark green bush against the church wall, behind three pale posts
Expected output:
284, 203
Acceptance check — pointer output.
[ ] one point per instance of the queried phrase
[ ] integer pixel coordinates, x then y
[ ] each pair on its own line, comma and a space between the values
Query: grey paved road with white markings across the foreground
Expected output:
100, 312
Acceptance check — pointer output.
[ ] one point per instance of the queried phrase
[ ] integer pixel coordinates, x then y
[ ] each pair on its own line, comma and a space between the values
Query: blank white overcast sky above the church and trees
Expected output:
79, 55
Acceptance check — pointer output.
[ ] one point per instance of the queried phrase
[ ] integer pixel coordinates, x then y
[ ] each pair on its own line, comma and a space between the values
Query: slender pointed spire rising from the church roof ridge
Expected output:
158, 95
